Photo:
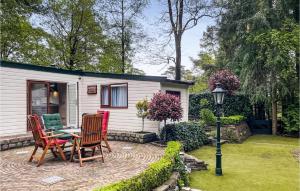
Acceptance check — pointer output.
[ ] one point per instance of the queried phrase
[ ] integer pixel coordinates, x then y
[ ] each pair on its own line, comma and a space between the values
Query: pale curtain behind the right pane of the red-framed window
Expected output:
119, 96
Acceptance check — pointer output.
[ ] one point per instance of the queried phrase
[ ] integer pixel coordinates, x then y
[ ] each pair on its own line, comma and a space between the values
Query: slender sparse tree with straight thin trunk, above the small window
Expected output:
122, 24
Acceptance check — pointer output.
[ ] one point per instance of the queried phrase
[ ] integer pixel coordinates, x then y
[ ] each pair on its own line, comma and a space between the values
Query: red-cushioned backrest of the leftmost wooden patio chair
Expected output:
36, 129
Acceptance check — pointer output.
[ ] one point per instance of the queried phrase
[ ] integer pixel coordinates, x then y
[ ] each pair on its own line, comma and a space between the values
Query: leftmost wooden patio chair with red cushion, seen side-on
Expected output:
43, 141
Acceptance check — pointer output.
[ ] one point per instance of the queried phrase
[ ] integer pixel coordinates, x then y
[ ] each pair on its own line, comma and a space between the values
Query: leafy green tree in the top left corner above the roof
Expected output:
20, 41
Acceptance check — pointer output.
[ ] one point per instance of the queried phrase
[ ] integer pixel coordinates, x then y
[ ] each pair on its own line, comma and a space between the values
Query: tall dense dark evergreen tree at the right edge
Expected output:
251, 37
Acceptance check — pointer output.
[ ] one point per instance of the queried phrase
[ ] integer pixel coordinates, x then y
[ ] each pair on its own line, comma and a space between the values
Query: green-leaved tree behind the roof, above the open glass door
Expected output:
78, 38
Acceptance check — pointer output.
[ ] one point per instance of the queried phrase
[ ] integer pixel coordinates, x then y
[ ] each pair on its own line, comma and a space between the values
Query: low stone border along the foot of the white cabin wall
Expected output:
17, 141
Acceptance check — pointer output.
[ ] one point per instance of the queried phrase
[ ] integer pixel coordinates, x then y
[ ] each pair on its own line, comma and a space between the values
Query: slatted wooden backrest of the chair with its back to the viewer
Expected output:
91, 129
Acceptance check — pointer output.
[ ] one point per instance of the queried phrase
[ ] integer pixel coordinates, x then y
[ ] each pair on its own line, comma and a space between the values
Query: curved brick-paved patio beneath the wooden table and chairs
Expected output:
126, 160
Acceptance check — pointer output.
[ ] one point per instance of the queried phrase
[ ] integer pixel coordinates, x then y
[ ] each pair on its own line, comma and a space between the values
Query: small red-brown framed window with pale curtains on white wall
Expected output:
114, 96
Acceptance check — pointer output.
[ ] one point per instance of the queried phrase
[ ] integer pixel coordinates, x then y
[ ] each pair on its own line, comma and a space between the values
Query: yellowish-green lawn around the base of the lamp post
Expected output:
261, 163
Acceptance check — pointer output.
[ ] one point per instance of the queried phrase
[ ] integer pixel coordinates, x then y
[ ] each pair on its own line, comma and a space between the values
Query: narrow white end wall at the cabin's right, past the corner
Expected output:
184, 97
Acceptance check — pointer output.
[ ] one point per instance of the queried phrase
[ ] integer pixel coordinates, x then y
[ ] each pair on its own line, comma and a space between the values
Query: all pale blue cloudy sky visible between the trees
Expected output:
144, 59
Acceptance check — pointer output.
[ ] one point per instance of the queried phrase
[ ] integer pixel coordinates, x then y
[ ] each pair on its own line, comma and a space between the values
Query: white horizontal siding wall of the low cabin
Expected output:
13, 99
